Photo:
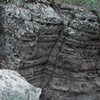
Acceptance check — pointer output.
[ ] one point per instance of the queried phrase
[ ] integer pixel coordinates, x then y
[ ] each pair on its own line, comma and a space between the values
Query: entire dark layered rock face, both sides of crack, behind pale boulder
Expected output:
59, 52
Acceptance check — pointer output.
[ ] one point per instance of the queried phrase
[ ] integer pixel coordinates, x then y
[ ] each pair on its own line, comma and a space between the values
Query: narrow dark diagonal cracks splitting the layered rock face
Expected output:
45, 65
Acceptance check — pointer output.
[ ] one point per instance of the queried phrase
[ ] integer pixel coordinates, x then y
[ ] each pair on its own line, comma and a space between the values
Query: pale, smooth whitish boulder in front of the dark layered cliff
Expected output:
15, 87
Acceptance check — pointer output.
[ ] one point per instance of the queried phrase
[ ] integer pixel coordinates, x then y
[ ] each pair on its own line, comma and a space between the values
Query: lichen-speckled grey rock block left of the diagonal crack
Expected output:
31, 33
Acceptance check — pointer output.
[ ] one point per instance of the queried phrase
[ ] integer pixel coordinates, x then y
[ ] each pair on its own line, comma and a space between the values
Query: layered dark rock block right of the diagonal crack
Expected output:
75, 74
